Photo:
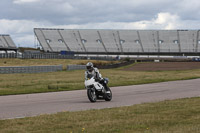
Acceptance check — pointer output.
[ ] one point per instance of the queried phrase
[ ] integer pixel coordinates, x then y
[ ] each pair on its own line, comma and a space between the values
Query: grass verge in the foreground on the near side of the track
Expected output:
176, 116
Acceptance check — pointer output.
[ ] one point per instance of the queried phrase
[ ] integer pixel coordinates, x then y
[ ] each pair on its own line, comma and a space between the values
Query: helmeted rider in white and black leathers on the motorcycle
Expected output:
92, 71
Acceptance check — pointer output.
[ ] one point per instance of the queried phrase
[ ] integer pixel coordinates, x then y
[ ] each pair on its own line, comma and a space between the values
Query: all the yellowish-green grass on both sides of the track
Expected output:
176, 116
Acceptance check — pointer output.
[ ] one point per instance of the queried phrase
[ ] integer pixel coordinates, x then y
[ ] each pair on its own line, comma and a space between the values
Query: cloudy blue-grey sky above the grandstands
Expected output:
19, 17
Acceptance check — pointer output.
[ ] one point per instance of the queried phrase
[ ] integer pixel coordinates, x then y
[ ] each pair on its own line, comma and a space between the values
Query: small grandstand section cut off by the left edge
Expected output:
6, 43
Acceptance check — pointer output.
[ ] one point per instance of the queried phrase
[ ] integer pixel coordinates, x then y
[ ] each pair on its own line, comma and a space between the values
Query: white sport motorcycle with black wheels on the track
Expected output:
96, 91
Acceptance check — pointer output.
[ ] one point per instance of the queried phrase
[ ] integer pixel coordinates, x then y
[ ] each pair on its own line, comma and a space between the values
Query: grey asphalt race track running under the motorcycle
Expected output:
18, 106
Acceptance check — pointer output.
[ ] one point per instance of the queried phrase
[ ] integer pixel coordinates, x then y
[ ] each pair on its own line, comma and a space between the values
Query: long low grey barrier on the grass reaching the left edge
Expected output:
30, 69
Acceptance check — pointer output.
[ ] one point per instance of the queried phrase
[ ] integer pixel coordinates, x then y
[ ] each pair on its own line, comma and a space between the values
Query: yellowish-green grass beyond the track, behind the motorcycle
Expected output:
74, 80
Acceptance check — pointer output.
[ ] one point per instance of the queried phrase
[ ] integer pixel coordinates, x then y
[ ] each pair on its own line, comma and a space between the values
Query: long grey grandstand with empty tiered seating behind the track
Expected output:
123, 42
